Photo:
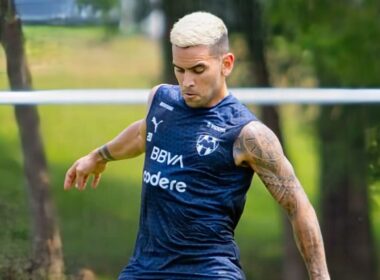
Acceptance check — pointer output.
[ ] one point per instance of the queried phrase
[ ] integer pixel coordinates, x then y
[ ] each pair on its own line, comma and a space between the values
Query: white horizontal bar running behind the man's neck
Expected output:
259, 96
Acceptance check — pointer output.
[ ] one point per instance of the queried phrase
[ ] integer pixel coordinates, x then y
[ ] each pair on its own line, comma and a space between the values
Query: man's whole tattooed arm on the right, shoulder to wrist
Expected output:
258, 147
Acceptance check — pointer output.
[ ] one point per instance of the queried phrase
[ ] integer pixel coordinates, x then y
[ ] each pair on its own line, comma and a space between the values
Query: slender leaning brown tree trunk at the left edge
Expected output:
47, 258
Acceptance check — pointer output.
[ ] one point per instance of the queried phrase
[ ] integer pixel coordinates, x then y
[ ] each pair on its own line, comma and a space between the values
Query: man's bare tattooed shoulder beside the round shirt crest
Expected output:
257, 145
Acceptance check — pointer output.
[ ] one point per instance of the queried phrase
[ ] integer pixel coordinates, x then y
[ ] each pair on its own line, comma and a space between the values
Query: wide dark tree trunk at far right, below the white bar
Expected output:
344, 175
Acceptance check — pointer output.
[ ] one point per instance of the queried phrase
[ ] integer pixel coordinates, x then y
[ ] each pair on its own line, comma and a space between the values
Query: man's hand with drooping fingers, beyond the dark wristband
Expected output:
80, 171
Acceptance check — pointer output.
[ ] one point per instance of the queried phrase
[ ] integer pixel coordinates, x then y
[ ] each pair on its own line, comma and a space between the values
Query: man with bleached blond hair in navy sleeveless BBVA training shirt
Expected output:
201, 149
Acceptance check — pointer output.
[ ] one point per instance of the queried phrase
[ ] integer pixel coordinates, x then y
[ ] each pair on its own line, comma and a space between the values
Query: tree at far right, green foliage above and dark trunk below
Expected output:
343, 38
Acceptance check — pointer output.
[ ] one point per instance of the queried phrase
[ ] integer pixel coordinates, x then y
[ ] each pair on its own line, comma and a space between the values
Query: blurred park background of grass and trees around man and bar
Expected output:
94, 44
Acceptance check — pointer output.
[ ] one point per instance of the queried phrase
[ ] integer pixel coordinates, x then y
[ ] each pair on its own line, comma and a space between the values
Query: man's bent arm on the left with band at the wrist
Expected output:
128, 144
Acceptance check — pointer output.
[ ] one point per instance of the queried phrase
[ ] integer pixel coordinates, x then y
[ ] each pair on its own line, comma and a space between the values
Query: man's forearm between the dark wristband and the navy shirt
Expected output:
128, 144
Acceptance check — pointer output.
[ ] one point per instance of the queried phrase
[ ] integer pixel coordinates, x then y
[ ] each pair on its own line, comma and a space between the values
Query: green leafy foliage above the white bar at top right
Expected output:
343, 37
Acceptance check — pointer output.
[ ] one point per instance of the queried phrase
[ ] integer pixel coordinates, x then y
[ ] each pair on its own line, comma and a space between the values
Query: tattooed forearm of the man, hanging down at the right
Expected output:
309, 241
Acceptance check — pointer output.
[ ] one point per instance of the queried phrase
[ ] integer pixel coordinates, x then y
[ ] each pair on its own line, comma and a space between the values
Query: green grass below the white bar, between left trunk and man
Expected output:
101, 222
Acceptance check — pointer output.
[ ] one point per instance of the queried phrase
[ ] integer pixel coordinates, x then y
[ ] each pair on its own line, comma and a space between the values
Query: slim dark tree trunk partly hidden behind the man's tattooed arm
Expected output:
250, 15
